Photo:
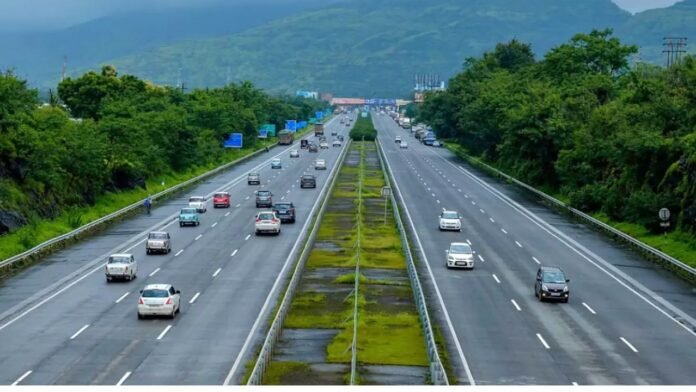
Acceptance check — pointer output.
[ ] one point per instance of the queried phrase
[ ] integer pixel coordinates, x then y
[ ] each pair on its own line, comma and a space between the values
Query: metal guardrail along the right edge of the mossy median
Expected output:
437, 370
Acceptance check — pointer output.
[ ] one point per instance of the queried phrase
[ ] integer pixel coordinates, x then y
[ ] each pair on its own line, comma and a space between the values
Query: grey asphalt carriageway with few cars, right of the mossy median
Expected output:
621, 325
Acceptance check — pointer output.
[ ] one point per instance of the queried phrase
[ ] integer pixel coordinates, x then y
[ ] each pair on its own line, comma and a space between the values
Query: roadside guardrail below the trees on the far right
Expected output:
579, 214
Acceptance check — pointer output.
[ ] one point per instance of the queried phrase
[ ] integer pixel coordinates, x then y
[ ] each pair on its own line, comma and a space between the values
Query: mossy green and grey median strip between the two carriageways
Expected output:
315, 346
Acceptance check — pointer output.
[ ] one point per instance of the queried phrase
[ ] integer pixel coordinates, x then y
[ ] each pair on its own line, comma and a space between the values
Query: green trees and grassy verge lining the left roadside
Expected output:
106, 141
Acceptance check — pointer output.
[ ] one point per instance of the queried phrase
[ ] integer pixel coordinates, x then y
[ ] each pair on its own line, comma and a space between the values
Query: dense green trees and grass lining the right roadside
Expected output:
612, 139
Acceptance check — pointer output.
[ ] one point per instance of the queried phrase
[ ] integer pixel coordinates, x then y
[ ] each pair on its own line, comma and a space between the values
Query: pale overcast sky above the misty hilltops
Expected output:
48, 14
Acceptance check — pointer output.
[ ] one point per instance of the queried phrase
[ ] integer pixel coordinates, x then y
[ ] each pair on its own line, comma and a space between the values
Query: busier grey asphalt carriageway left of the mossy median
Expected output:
62, 323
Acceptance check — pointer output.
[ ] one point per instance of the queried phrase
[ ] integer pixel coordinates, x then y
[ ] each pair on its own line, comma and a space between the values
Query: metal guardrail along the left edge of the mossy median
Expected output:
275, 330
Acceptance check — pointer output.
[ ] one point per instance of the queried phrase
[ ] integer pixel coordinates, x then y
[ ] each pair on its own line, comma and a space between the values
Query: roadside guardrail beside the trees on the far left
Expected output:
117, 214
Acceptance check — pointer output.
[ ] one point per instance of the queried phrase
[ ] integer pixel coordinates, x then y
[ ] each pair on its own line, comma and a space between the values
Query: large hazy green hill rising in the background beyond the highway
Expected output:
370, 48
